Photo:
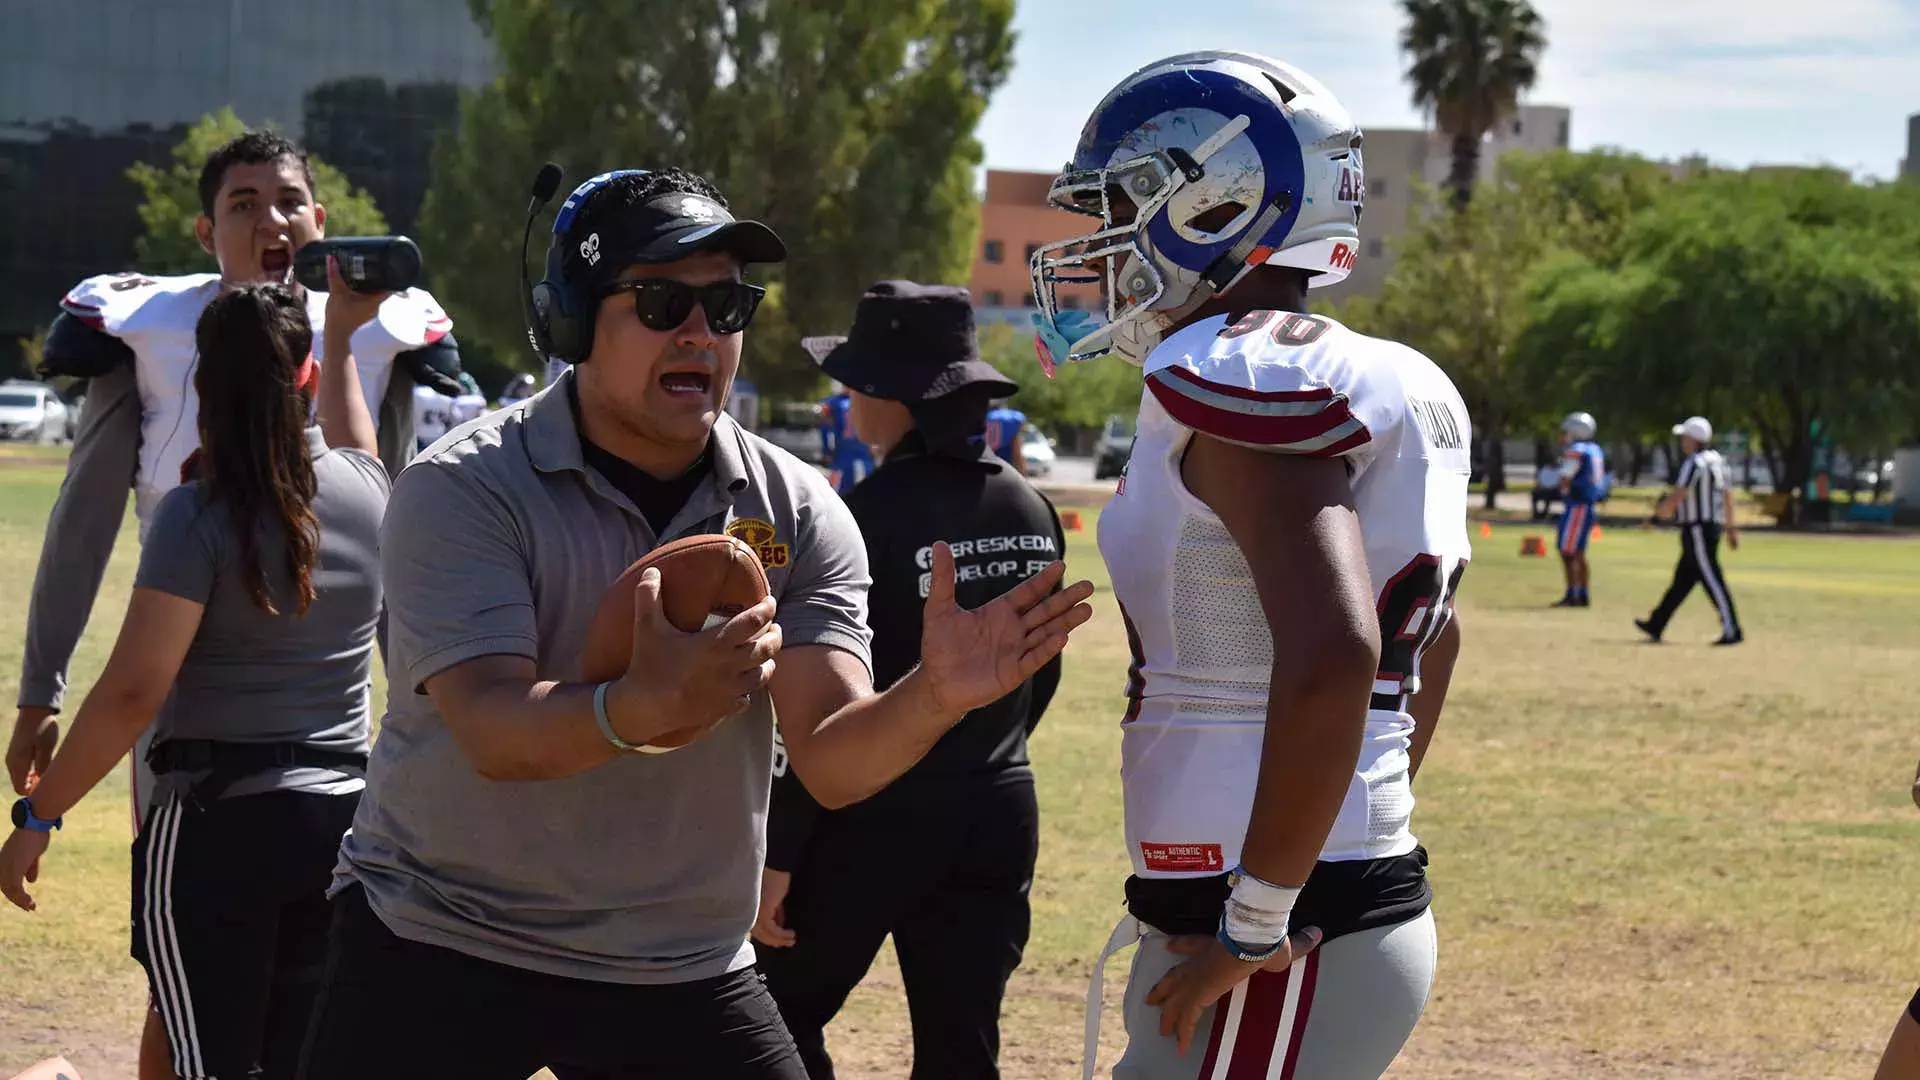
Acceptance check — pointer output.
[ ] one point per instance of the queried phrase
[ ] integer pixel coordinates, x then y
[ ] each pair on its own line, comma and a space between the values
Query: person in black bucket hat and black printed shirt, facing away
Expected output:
944, 858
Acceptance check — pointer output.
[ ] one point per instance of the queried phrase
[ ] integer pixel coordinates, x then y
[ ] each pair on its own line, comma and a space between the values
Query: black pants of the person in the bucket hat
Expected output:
949, 879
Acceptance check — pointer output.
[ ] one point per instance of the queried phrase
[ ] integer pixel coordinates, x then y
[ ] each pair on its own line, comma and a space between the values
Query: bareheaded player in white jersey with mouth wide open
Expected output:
133, 339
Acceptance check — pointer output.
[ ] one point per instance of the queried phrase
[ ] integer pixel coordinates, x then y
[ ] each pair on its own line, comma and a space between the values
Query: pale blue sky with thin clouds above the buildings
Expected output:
1744, 82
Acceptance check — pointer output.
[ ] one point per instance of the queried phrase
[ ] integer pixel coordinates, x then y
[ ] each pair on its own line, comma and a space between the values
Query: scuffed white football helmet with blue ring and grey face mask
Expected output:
1199, 168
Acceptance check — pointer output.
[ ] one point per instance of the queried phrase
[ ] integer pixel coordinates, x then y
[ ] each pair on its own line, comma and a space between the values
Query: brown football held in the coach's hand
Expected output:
700, 577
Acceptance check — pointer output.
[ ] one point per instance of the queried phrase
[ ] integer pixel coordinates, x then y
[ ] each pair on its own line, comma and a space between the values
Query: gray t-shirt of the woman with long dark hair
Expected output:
258, 677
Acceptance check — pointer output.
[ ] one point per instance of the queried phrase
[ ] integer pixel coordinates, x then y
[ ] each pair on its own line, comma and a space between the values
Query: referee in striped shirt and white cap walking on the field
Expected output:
1704, 506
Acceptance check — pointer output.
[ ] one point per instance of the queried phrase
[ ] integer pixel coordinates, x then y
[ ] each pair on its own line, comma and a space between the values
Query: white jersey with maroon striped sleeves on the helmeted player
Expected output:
1203, 650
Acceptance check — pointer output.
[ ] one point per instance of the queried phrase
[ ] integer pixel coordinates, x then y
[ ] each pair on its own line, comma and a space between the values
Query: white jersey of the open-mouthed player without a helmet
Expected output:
156, 318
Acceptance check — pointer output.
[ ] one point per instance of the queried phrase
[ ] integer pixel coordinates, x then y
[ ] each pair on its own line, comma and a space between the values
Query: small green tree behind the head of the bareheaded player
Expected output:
172, 201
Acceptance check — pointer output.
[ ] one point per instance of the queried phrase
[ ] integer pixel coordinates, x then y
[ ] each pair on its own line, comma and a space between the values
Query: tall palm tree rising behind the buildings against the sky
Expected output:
1470, 62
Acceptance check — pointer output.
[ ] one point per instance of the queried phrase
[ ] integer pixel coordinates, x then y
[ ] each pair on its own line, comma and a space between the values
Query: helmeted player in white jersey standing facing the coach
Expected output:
1285, 549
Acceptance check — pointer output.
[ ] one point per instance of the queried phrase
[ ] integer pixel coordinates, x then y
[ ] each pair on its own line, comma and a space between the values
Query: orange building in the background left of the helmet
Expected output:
1013, 222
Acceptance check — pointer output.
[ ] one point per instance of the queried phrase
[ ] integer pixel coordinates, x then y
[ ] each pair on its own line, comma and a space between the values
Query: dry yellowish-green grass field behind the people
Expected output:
1650, 862
